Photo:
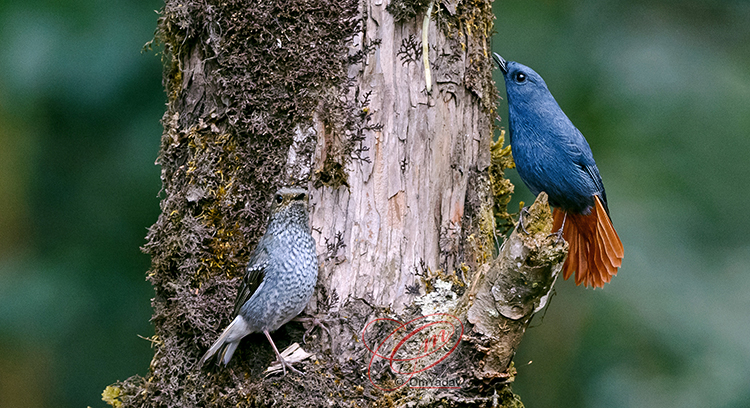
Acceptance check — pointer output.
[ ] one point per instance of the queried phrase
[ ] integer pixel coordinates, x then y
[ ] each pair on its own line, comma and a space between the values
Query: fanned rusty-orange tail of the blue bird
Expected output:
595, 250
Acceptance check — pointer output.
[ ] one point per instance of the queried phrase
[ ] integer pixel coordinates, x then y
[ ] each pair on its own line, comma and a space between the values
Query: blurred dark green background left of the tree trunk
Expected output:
79, 132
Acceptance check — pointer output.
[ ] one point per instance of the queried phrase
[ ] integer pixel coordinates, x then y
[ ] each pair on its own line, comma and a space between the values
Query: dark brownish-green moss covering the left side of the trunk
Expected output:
239, 79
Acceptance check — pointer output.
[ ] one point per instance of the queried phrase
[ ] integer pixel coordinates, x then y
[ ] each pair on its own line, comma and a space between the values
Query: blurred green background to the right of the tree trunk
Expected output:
661, 90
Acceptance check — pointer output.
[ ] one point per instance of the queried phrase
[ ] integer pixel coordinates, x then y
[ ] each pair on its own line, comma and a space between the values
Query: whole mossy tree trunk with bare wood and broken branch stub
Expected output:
407, 194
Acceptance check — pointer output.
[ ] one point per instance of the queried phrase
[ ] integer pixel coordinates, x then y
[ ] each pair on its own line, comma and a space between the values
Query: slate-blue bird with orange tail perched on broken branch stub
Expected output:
552, 155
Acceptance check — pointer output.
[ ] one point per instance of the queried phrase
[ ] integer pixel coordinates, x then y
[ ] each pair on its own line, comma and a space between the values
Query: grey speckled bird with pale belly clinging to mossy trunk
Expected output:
280, 277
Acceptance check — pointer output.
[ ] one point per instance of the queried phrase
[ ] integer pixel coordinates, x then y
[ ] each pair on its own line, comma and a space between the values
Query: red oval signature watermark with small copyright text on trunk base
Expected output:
400, 351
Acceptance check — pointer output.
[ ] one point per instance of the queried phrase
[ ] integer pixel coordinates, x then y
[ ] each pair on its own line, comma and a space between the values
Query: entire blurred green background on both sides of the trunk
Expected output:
661, 89
